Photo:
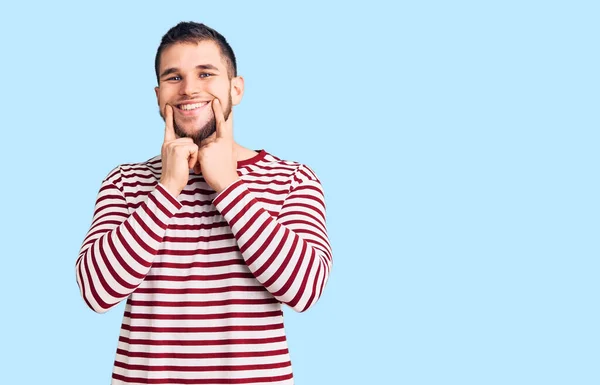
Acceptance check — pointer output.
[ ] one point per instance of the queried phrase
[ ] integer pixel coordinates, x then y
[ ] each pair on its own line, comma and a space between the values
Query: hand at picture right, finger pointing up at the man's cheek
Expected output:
217, 159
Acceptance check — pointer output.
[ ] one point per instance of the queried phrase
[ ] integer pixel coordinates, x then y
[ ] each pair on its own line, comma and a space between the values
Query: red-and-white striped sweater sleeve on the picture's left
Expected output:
119, 248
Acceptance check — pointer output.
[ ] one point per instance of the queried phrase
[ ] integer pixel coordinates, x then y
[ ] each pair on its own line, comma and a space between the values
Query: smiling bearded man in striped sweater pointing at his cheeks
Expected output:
207, 240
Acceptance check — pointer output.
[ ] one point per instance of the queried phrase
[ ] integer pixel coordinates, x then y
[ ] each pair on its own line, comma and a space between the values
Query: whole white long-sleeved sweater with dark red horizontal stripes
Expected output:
205, 274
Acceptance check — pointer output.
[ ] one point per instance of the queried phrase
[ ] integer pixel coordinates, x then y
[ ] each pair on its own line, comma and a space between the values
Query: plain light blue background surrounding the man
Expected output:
457, 143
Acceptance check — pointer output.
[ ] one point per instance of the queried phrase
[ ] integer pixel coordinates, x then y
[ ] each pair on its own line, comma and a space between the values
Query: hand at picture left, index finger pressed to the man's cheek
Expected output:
178, 156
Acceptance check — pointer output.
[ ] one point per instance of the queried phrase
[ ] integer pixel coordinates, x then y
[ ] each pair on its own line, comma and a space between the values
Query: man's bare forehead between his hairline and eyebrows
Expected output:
189, 55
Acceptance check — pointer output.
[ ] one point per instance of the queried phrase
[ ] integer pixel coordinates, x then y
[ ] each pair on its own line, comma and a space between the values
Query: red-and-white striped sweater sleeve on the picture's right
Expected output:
289, 254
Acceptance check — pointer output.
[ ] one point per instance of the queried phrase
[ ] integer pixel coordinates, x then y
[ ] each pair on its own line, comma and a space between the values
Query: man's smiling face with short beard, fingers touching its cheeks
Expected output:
191, 75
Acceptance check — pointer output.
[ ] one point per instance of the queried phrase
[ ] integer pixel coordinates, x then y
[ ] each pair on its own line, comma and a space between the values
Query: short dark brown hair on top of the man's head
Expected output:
191, 32
